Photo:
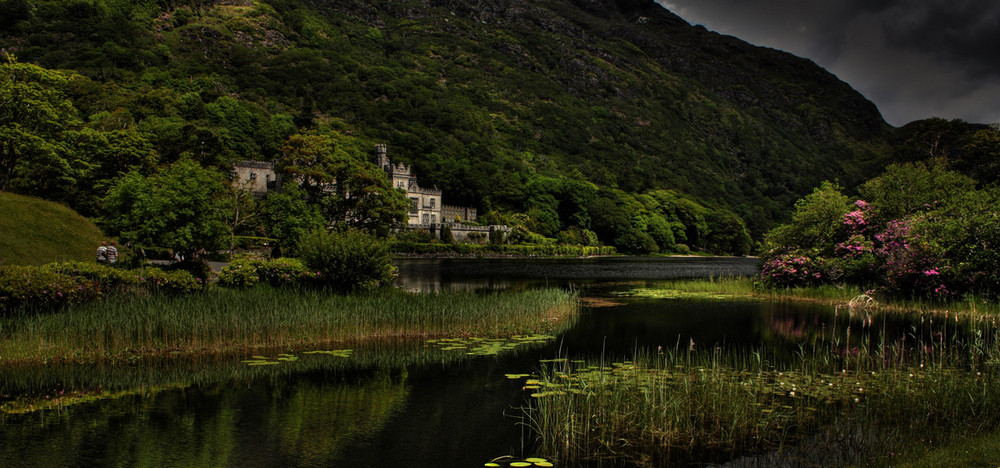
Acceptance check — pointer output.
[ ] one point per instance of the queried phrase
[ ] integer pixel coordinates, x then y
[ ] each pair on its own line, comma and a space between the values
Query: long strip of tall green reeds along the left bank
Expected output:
223, 320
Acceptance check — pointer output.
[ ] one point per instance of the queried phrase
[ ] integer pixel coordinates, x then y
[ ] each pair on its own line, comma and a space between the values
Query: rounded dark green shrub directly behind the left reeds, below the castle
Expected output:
347, 260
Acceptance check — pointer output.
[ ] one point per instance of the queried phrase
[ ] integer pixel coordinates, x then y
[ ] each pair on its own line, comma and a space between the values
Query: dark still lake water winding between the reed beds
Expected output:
376, 409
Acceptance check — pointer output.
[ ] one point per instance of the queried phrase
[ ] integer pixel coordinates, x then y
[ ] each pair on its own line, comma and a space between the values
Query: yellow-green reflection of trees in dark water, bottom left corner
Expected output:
307, 421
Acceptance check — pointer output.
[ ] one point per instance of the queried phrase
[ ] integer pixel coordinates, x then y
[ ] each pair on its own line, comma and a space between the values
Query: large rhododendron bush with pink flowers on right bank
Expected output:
918, 230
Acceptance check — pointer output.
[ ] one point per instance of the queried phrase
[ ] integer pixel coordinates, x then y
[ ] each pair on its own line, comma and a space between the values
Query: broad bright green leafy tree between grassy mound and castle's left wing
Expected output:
178, 207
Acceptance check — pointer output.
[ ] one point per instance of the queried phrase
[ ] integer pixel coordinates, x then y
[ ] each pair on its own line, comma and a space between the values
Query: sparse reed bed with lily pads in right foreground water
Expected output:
936, 382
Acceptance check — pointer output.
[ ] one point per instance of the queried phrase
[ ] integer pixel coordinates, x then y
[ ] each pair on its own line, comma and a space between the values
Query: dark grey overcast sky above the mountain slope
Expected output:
913, 58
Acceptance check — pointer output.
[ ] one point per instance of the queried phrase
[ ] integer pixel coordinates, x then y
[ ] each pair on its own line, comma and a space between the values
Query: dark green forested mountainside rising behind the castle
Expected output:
611, 116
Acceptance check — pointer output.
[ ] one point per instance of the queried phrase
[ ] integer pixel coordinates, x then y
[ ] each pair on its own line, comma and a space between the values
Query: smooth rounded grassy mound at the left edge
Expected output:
34, 232
